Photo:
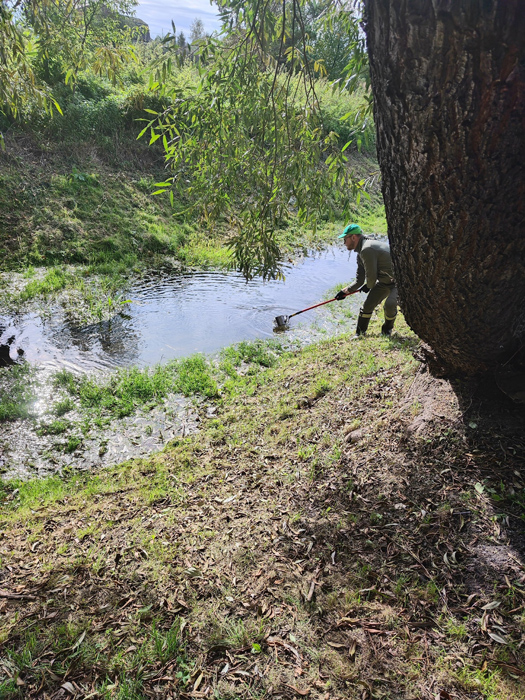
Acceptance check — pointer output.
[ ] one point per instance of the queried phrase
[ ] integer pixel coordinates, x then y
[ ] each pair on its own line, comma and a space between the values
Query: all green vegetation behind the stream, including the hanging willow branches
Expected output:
94, 99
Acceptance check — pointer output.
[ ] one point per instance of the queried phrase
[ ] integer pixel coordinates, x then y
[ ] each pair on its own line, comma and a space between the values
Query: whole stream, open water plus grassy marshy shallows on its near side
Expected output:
86, 396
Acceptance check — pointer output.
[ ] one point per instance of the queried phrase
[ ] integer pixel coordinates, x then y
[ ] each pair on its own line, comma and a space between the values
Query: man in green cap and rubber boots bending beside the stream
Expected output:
374, 276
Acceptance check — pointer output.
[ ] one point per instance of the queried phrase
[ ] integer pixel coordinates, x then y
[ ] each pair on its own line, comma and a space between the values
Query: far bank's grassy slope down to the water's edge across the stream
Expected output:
80, 221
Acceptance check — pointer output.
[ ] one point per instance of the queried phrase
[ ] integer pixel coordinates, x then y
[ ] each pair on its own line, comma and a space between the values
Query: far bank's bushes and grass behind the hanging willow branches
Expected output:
77, 186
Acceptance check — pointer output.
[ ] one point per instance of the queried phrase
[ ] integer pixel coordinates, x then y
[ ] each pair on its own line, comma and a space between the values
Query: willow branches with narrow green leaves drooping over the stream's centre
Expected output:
249, 144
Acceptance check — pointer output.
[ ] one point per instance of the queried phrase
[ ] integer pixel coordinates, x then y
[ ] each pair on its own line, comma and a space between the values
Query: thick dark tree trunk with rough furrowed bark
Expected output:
448, 78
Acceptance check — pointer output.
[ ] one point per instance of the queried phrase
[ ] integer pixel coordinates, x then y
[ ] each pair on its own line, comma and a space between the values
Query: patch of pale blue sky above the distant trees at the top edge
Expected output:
159, 13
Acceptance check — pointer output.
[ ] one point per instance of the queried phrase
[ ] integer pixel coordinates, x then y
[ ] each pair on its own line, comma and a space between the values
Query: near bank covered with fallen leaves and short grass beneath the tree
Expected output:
342, 526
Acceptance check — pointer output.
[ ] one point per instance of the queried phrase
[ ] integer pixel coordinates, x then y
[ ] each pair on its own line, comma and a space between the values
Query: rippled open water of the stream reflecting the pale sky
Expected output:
179, 314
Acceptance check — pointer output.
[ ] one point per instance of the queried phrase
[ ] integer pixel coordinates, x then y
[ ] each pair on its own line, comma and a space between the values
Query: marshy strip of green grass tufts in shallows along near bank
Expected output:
90, 408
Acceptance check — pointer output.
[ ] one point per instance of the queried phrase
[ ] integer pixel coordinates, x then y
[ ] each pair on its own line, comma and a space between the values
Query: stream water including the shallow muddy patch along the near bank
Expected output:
169, 316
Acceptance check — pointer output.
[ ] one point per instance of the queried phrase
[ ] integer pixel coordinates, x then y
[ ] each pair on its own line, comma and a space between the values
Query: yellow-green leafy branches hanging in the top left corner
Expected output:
44, 42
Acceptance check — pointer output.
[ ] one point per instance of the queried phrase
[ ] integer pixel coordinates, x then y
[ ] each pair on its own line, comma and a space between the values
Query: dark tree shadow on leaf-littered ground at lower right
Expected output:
420, 534
